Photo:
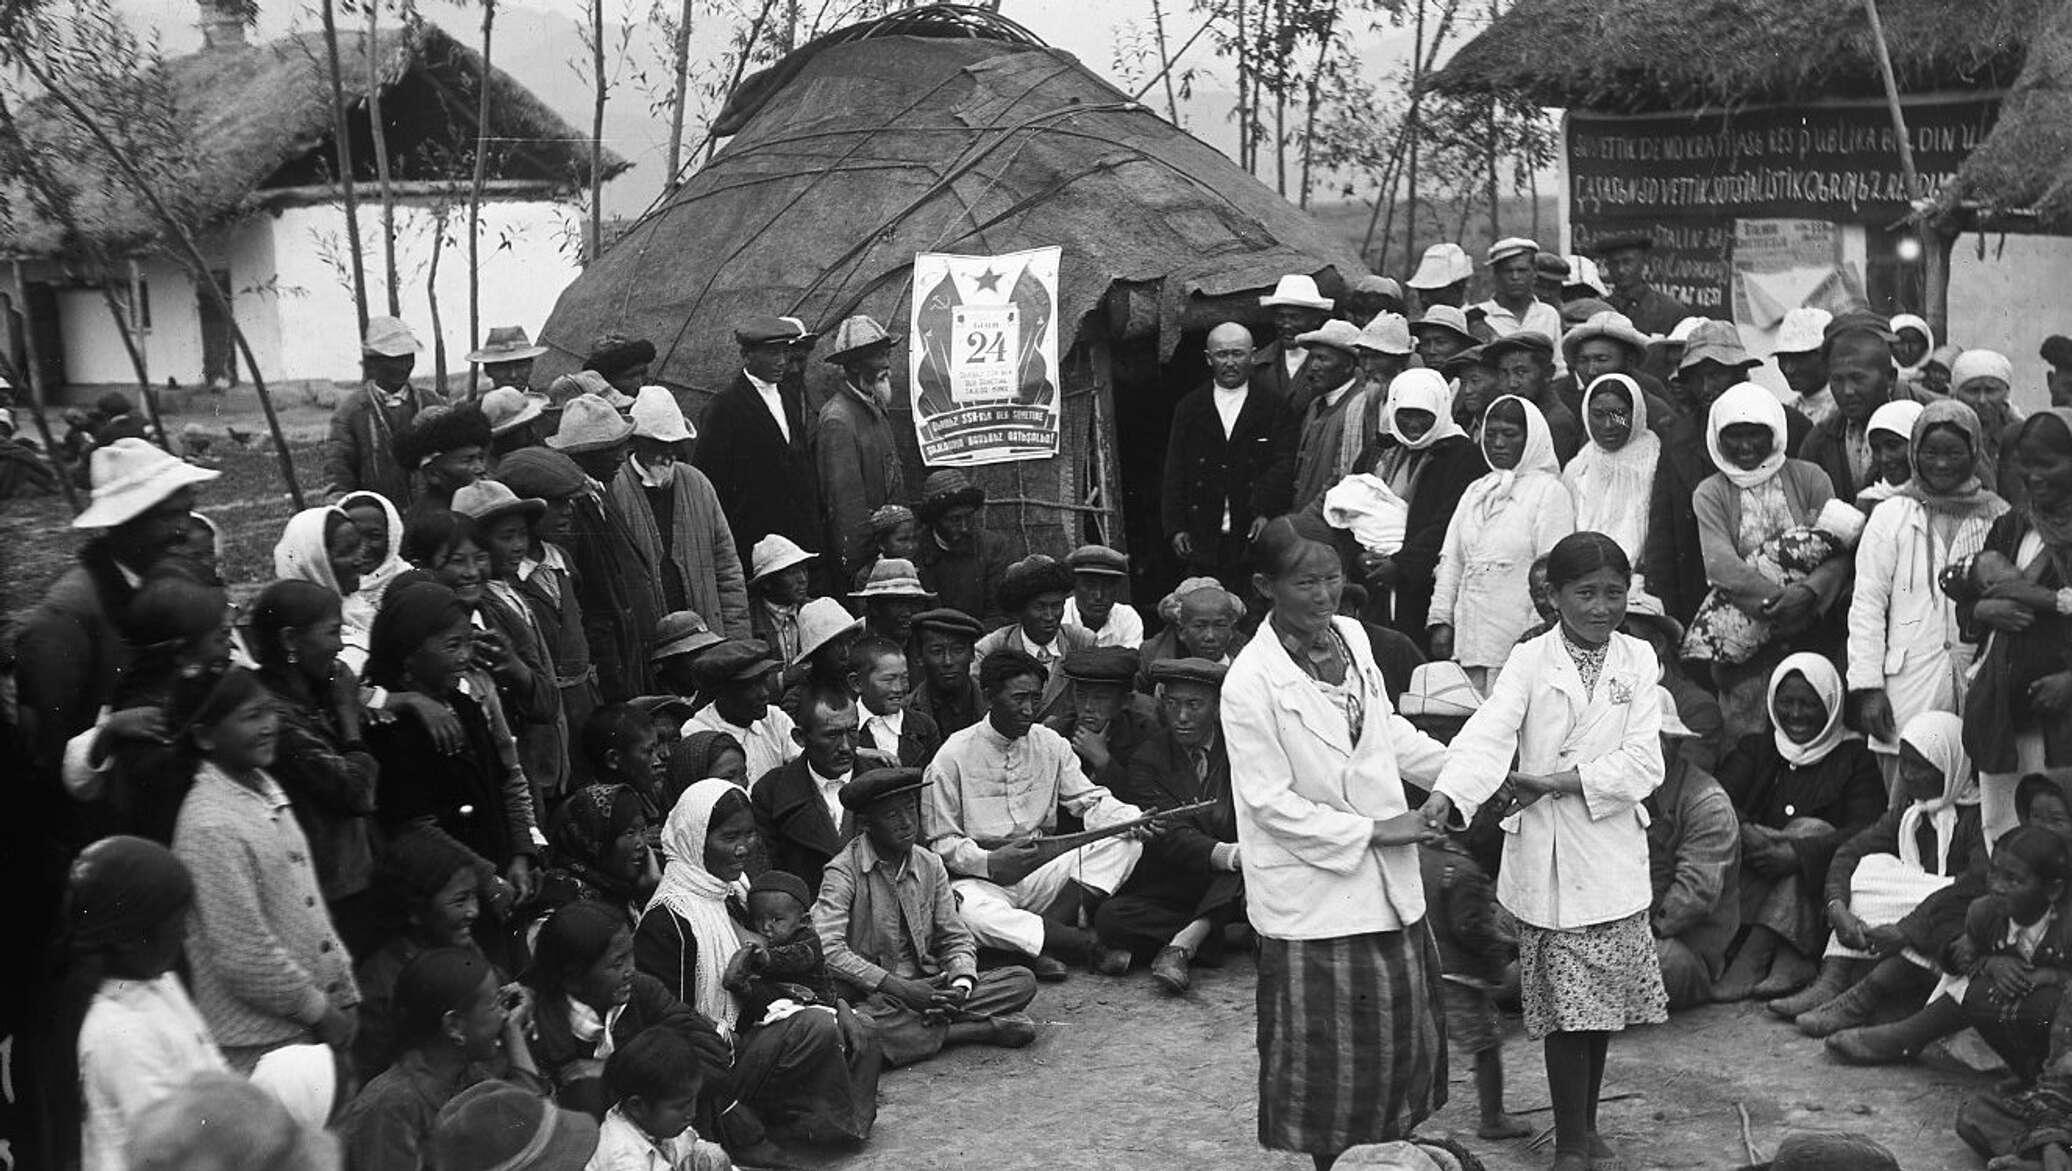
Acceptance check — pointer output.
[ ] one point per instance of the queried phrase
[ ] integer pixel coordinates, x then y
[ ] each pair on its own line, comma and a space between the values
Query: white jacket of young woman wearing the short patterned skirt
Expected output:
1570, 861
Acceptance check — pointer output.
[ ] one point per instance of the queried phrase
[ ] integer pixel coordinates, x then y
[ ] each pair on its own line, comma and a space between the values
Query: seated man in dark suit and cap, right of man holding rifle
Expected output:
1188, 886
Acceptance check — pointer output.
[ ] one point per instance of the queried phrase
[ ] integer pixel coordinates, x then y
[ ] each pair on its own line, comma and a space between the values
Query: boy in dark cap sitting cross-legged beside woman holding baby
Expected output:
896, 944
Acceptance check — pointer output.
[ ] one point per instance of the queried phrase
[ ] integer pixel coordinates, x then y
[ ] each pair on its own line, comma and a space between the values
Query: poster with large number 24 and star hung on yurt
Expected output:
985, 358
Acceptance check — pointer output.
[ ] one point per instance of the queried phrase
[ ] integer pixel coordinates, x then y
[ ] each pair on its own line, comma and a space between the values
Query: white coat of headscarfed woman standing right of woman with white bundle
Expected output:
1480, 585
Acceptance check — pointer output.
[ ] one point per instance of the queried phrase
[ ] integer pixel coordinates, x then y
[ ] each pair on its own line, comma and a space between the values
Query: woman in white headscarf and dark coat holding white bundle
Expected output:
1429, 461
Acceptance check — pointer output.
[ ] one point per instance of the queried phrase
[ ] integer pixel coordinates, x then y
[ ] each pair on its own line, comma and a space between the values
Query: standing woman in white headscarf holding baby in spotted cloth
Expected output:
1756, 496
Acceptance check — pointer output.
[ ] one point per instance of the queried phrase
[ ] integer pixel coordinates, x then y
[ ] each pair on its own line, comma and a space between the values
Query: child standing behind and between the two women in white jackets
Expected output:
1474, 954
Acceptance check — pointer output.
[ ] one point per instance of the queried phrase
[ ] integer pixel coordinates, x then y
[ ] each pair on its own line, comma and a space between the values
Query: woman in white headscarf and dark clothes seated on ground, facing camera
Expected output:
1802, 791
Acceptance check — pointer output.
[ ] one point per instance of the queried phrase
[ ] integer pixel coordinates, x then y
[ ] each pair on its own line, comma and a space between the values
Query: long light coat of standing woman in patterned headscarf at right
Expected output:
1903, 633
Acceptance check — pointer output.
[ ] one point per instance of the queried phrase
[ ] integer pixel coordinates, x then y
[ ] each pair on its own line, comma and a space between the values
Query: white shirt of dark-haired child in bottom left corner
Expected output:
140, 1044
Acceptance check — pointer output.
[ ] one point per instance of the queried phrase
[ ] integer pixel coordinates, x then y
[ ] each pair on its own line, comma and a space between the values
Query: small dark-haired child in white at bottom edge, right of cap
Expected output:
656, 1085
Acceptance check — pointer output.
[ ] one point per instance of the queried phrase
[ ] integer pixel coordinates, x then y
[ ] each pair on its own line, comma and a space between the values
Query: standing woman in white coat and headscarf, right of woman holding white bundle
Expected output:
1505, 521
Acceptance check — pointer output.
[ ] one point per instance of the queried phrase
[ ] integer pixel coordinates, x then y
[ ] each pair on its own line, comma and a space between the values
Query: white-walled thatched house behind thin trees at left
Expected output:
275, 227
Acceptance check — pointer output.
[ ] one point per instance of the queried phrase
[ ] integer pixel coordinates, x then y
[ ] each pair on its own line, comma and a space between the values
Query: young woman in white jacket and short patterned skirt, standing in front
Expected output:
1582, 714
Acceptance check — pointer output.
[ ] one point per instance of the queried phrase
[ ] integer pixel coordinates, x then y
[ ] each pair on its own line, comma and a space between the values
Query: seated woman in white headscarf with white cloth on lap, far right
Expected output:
1882, 874
